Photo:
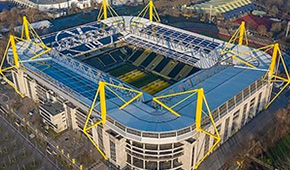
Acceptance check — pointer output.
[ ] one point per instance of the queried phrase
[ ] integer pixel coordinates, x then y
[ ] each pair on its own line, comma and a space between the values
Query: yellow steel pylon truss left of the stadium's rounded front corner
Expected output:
103, 86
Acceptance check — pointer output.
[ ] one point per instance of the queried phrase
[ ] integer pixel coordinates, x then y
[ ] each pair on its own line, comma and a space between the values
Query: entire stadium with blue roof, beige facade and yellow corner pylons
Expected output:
147, 95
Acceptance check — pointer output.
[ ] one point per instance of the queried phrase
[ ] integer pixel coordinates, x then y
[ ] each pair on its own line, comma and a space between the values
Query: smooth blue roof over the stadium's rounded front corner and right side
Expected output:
218, 89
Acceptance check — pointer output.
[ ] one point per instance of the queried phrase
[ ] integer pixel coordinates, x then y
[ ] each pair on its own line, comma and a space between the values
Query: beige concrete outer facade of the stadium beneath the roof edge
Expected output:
134, 151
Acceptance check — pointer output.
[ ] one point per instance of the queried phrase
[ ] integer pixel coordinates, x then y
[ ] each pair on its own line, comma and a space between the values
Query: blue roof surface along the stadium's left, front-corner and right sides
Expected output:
218, 88
